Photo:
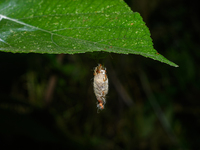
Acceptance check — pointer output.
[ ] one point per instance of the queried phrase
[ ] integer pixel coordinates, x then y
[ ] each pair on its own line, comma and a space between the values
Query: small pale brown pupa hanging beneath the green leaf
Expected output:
100, 86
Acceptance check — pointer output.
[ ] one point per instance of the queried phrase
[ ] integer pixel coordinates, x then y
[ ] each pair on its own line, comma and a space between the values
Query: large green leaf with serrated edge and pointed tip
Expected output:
71, 27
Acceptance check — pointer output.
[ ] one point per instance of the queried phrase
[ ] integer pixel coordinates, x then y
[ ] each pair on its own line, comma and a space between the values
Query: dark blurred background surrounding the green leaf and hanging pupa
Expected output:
47, 101
